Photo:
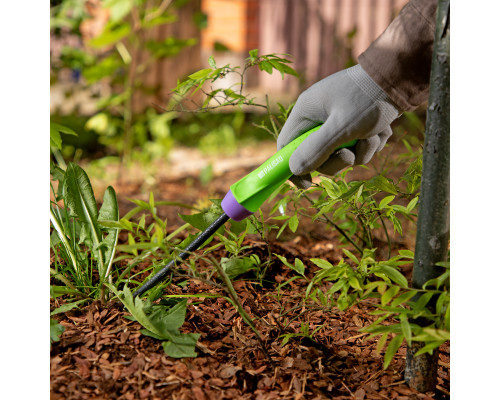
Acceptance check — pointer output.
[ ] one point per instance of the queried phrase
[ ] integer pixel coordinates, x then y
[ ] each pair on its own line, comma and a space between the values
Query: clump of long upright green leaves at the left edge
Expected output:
77, 232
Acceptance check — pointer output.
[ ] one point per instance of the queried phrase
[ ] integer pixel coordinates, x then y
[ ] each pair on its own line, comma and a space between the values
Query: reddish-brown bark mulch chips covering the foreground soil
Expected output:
102, 354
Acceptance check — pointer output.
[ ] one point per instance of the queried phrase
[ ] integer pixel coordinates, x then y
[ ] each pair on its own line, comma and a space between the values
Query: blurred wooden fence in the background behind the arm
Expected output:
323, 36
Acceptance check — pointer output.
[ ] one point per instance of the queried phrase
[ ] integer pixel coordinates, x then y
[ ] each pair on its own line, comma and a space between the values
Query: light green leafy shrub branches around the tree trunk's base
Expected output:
382, 280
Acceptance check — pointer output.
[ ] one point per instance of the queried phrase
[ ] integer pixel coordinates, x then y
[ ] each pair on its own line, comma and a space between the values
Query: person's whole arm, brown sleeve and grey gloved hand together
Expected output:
361, 102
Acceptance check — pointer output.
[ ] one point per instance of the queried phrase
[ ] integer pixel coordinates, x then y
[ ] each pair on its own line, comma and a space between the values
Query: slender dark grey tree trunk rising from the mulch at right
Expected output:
433, 227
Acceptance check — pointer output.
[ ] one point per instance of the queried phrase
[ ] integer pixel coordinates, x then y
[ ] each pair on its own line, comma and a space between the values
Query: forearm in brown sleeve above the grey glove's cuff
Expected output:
399, 60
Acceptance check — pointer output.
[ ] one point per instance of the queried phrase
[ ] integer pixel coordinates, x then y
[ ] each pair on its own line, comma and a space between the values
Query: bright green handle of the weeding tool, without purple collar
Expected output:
252, 190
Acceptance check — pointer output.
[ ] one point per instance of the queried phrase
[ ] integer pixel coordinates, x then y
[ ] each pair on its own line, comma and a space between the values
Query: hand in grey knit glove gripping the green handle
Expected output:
350, 105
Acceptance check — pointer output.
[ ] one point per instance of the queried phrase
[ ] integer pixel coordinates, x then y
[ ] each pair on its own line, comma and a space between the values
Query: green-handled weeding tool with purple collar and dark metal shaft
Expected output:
243, 199
